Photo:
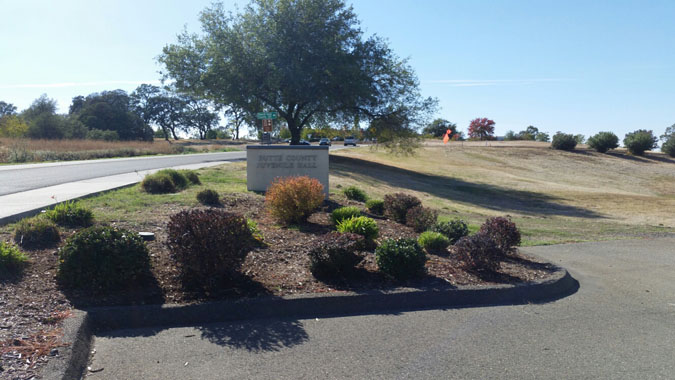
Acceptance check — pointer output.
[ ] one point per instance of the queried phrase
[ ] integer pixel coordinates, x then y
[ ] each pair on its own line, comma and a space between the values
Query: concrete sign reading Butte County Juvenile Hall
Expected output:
265, 163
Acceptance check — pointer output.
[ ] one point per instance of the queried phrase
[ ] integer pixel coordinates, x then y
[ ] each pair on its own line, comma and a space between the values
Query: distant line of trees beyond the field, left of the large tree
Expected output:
116, 115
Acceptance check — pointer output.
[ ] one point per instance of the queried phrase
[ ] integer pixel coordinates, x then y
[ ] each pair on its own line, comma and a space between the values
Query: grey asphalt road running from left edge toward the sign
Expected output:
18, 178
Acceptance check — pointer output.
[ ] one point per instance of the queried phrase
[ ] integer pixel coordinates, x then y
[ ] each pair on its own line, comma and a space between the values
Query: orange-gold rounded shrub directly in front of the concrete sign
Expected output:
294, 199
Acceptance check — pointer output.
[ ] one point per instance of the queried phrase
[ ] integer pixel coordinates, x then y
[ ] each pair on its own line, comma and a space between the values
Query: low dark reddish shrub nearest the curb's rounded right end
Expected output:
479, 252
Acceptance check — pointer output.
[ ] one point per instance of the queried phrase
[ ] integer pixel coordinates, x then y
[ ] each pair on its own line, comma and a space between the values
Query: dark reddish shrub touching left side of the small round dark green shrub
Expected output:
335, 254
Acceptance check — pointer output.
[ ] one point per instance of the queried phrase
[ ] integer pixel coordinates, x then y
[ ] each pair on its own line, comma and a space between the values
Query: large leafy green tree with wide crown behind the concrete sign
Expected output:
304, 59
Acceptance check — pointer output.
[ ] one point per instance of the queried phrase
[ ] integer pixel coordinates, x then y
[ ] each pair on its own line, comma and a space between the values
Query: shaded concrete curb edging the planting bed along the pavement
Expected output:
80, 329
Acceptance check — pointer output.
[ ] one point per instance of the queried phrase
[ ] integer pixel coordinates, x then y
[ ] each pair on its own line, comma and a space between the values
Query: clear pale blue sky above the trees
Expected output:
573, 66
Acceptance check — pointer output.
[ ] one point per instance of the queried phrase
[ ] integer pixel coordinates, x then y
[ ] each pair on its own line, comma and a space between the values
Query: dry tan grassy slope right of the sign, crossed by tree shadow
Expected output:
554, 196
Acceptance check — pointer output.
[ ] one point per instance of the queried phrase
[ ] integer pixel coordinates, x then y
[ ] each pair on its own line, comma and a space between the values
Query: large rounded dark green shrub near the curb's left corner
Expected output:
103, 258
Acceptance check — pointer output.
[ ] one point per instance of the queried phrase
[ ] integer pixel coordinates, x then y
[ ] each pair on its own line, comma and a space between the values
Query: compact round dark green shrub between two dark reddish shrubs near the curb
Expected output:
401, 259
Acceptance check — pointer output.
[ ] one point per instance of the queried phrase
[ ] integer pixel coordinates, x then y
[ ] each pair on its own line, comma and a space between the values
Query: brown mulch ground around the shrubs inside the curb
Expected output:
32, 305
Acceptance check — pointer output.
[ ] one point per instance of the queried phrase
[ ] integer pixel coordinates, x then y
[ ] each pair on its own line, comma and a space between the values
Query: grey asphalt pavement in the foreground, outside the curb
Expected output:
619, 325
